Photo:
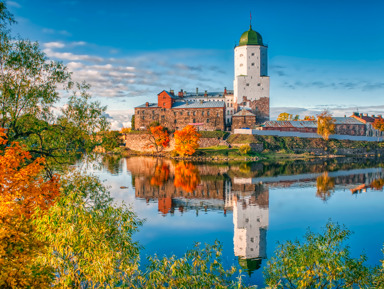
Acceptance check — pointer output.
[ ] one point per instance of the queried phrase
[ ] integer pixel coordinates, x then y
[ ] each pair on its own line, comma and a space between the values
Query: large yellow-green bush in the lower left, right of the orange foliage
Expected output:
89, 239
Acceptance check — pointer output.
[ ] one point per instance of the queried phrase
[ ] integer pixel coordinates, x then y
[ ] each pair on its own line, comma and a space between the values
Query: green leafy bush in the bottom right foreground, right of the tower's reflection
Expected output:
322, 261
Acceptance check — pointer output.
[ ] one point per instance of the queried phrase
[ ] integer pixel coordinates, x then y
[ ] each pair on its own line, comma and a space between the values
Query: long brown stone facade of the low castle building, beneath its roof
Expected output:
177, 118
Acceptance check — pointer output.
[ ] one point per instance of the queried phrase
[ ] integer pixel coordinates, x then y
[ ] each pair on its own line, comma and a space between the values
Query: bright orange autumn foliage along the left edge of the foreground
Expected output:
22, 190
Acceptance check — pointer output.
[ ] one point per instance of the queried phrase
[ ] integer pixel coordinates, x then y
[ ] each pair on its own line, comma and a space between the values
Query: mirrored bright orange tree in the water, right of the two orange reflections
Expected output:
186, 177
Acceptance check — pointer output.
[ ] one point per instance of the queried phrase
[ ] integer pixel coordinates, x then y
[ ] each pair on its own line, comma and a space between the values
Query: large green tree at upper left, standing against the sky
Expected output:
29, 88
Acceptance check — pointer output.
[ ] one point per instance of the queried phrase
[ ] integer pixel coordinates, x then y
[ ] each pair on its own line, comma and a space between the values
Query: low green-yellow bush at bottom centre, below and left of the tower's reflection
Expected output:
198, 268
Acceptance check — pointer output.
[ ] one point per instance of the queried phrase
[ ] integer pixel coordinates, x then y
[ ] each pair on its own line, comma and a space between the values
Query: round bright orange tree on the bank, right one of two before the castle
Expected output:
186, 140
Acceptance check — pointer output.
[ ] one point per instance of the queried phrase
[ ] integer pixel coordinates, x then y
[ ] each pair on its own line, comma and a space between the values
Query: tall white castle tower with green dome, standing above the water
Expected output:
251, 83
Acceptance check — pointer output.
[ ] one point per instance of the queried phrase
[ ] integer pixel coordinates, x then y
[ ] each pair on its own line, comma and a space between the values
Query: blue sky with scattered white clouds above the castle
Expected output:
322, 54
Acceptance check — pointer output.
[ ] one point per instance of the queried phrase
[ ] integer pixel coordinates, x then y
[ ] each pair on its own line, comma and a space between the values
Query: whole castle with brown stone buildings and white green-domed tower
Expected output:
244, 107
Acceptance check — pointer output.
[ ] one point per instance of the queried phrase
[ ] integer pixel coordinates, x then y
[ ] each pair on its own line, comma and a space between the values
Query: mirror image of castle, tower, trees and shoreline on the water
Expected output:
244, 190
